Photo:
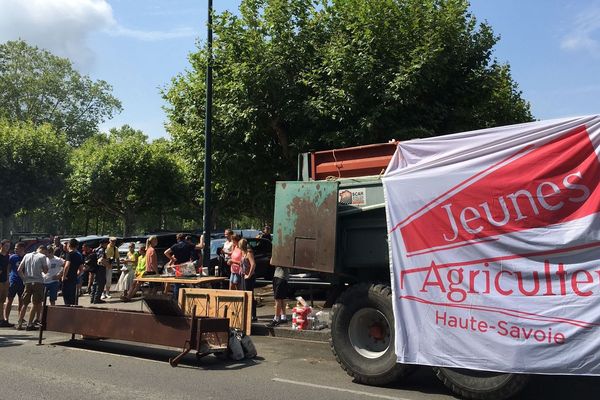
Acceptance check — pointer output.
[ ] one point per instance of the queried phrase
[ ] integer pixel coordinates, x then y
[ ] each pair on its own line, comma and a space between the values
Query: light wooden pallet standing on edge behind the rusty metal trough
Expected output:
233, 304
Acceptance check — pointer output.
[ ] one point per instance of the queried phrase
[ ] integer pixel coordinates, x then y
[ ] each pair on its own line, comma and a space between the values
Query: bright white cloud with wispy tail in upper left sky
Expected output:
63, 26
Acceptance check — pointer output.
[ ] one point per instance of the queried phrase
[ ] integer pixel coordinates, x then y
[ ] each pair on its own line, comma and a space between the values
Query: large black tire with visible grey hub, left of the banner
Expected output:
362, 335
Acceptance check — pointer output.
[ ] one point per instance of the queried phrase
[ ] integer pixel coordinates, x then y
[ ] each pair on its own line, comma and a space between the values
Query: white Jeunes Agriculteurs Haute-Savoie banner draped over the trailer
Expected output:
495, 248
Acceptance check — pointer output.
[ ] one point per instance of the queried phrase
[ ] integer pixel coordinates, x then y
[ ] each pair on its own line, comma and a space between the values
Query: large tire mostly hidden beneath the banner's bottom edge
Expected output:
482, 385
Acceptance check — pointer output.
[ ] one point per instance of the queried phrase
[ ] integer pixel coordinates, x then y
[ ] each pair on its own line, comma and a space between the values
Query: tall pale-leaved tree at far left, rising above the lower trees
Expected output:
38, 86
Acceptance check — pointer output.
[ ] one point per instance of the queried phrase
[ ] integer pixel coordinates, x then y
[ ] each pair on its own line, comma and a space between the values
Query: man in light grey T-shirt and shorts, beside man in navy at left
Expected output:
32, 270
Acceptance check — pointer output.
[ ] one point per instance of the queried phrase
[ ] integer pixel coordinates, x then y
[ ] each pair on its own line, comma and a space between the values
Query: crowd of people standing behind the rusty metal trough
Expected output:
58, 268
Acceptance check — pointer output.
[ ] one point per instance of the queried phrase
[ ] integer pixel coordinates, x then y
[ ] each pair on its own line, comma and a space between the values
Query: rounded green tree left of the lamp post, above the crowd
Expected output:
122, 175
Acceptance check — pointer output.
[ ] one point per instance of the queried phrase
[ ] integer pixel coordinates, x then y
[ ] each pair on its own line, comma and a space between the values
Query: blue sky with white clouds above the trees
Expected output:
553, 47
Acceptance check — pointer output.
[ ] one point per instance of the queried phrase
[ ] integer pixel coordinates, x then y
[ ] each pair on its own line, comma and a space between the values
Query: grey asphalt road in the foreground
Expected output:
288, 369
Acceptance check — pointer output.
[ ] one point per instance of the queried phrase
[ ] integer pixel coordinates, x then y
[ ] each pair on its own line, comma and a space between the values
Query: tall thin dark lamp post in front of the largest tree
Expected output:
208, 144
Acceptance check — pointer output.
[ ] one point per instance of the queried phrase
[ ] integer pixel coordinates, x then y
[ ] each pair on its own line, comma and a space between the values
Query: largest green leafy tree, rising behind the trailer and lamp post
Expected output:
300, 75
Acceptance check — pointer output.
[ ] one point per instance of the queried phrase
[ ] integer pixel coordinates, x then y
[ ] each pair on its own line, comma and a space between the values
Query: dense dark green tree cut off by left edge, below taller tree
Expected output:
34, 161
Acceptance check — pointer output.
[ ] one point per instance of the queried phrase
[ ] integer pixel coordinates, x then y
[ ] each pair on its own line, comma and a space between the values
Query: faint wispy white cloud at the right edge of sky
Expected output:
585, 34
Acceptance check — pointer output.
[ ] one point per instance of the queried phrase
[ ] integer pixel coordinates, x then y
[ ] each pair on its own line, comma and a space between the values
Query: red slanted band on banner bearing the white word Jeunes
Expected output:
552, 184
